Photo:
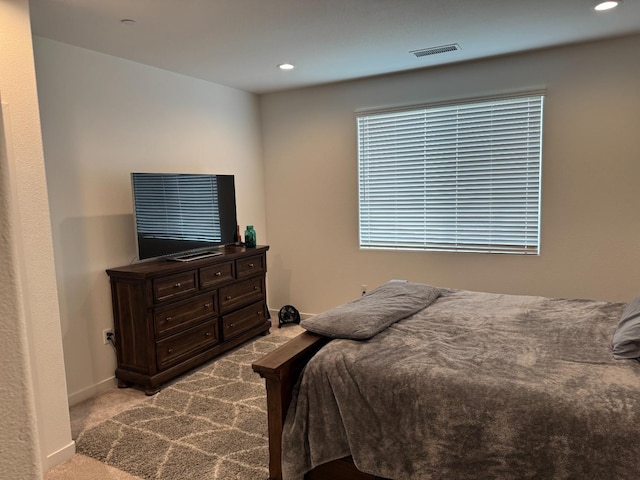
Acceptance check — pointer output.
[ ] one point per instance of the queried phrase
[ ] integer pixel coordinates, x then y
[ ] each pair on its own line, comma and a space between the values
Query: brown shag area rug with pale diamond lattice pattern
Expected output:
210, 424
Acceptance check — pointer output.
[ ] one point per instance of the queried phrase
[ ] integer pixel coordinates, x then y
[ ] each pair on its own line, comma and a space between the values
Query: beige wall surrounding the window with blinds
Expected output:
590, 245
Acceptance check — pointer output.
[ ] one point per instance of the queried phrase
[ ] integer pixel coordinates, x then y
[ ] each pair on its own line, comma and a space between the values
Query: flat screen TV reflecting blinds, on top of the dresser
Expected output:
183, 216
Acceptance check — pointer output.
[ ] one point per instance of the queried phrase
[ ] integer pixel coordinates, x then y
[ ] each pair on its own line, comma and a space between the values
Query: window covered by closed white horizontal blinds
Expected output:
460, 177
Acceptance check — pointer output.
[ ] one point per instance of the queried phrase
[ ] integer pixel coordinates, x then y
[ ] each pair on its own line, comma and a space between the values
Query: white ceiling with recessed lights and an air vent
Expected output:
238, 43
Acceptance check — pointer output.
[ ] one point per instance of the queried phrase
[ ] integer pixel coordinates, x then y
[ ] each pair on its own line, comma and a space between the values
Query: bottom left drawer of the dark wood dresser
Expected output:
184, 345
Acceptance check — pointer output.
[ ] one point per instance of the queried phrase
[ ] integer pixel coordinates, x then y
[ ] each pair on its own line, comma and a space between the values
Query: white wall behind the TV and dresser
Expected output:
102, 118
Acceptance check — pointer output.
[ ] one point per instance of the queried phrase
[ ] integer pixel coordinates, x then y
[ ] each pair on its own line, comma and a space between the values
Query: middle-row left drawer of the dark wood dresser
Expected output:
178, 317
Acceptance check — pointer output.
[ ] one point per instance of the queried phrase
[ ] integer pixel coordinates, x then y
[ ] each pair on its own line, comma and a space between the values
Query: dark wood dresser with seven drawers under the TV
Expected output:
169, 316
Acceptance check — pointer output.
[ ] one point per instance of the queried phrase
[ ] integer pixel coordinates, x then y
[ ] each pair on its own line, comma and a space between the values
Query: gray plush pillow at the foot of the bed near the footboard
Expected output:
365, 317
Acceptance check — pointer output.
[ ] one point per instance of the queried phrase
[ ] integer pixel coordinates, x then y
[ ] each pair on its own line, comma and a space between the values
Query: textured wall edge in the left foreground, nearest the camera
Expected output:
34, 423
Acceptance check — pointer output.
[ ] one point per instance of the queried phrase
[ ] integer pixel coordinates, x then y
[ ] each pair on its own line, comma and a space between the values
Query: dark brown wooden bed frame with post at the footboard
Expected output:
281, 369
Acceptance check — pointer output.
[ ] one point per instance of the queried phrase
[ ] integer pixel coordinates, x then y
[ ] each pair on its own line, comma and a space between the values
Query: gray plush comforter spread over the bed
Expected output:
475, 386
